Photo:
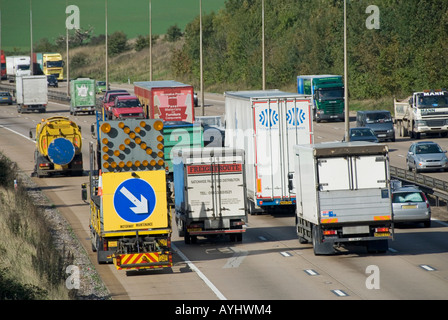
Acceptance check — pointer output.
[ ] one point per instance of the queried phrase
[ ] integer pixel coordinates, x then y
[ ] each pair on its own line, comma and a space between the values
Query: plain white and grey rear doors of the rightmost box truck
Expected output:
353, 189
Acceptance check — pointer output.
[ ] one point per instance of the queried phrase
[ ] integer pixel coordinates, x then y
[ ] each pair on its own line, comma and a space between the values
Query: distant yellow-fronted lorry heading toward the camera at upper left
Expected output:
48, 63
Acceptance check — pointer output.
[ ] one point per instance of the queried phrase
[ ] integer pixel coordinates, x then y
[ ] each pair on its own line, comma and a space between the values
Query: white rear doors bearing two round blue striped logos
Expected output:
280, 123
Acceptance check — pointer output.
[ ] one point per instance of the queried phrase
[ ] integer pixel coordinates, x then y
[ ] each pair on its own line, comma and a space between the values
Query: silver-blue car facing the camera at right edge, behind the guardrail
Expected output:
426, 156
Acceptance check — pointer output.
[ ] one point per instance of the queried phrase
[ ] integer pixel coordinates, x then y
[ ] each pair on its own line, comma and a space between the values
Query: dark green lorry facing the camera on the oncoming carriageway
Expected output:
327, 92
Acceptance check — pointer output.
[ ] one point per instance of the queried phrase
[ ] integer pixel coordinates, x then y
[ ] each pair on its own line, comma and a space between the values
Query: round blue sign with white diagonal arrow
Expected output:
134, 200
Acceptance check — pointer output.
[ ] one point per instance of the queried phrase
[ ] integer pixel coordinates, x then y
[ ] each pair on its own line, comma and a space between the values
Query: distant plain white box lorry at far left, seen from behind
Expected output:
31, 93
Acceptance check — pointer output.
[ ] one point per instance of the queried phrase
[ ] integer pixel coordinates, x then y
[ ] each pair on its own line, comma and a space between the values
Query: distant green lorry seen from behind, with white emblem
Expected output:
82, 96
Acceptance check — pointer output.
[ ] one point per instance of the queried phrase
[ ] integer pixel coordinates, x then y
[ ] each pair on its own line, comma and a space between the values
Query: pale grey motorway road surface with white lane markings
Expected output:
270, 263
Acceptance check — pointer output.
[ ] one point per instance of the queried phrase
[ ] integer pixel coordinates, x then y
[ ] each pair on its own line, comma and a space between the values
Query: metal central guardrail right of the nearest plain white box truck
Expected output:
436, 187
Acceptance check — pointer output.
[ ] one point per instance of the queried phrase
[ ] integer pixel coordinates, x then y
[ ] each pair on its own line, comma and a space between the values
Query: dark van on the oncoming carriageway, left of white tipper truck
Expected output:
380, 121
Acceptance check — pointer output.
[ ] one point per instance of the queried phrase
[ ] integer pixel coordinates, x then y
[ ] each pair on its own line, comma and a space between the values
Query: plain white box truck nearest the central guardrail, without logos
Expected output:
343, 195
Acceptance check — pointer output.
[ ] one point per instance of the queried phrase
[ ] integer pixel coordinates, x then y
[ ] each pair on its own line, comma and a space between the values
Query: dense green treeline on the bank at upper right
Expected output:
408, 51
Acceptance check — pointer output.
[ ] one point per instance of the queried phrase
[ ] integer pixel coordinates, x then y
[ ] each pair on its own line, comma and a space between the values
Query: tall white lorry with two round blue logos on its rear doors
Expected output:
267, 124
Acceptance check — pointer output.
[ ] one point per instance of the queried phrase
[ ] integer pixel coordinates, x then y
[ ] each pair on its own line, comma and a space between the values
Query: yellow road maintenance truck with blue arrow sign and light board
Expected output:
130, 221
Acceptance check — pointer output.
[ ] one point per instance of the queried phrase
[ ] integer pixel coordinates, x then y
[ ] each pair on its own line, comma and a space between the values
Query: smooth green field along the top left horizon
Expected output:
131, 17
